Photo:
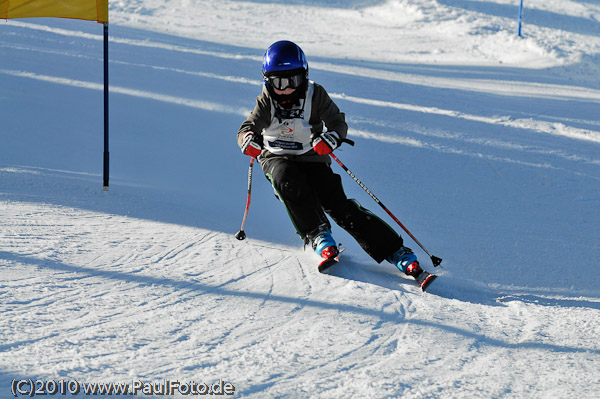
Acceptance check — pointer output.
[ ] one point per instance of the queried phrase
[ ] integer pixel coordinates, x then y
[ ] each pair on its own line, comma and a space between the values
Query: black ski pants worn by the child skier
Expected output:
309, 190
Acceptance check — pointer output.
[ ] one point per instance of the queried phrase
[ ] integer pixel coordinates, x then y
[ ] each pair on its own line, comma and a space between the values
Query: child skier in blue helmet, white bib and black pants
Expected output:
286, 130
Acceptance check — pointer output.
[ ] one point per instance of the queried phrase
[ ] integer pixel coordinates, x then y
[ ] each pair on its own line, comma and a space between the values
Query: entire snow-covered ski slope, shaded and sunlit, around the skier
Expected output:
484, 144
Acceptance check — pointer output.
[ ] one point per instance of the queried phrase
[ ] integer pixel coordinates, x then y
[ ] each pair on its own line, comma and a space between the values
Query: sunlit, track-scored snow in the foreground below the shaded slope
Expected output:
109, 297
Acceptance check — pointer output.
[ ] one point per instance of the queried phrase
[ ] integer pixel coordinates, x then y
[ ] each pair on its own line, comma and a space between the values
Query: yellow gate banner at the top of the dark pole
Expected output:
90, 10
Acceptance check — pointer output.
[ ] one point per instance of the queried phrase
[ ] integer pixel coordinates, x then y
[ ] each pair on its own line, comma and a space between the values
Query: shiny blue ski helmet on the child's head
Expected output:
284, 58
